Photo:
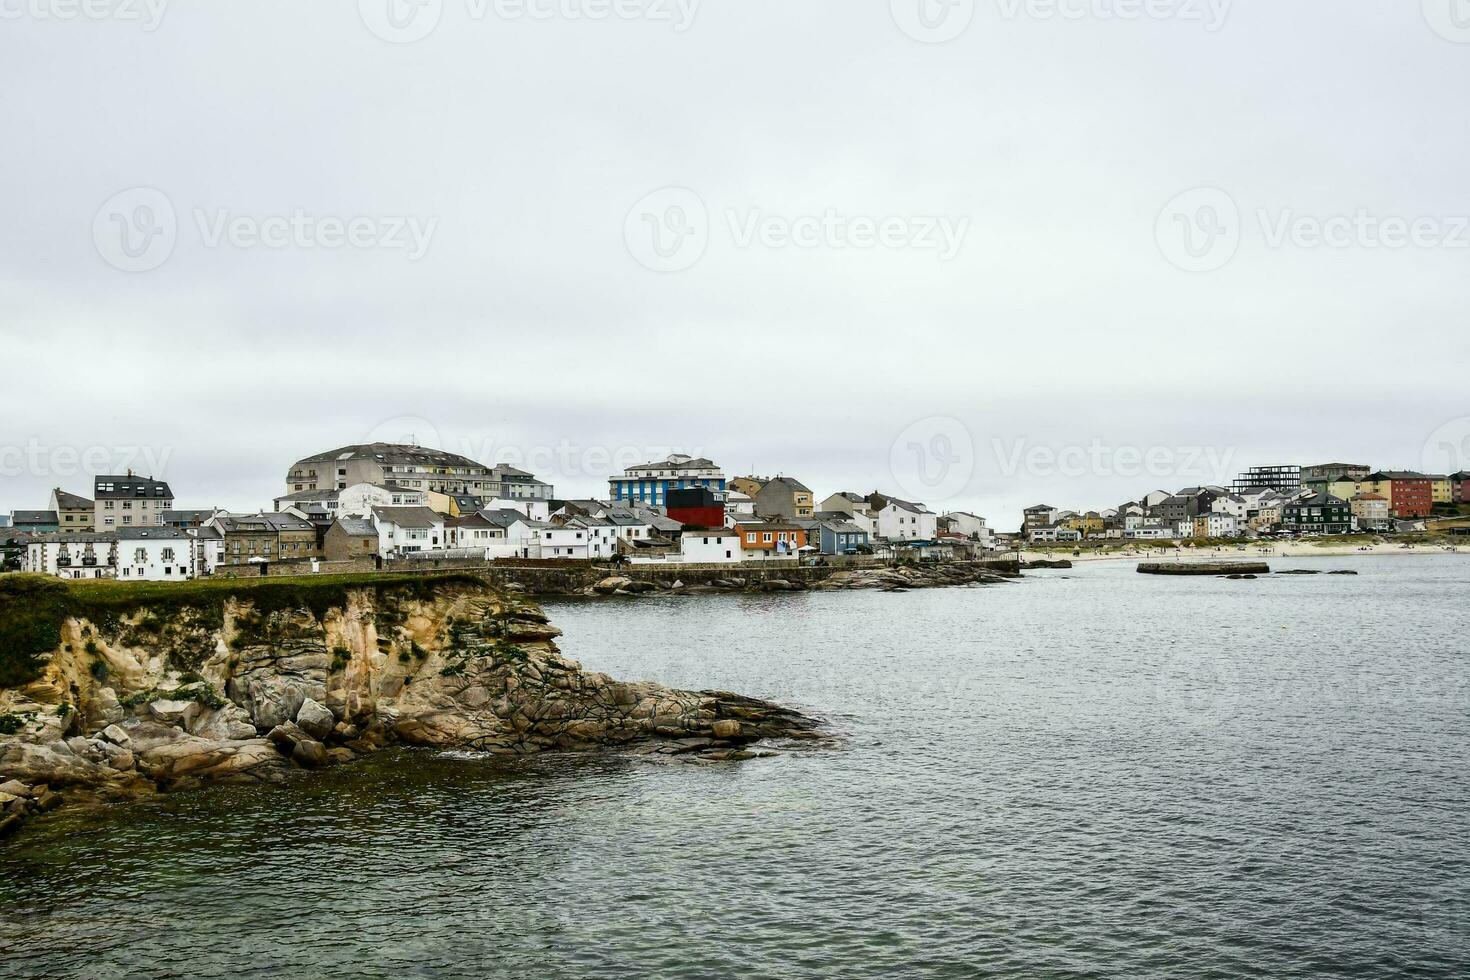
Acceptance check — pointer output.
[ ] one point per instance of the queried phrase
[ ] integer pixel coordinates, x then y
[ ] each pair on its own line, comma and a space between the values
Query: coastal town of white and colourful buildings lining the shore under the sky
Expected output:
376, 506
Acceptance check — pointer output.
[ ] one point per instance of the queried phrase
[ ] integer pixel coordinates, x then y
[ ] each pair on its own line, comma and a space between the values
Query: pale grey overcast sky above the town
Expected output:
986, 255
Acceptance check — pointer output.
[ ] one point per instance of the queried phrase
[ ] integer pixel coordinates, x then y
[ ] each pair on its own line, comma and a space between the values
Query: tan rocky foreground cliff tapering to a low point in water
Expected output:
249, 681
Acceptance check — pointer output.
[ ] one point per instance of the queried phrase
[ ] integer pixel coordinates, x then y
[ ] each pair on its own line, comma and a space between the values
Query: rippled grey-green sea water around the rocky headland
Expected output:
1086, 774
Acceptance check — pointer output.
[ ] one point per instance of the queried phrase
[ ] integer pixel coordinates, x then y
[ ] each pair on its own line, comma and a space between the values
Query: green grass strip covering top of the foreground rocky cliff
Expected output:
33, 608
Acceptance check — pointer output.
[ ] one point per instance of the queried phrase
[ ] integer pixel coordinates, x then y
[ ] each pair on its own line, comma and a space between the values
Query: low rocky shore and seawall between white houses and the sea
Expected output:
808, 580
